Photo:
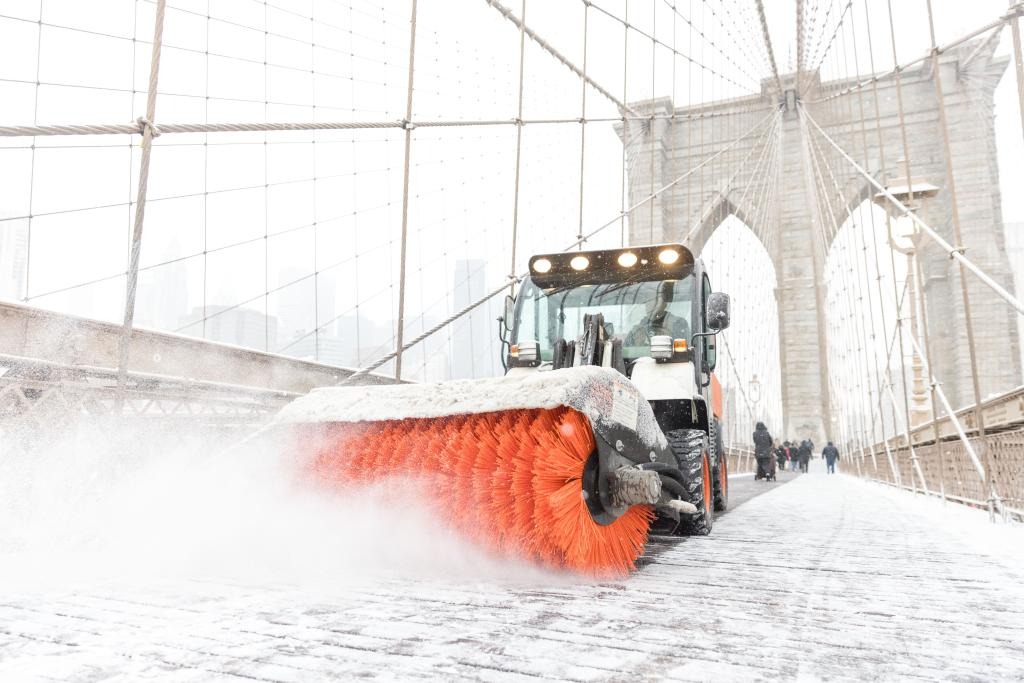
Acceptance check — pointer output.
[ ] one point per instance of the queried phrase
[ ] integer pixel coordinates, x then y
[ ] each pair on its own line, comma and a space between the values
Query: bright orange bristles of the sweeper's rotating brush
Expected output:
511, 482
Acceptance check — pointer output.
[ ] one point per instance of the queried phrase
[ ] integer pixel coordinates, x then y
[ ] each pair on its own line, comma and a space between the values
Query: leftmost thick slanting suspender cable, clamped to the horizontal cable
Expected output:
149, 133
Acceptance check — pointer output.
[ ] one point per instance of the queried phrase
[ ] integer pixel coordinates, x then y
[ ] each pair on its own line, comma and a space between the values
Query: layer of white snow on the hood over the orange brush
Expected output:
590, 390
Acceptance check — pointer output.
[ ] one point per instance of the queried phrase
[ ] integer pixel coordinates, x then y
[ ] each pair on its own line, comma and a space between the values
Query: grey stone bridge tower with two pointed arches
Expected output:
662, 151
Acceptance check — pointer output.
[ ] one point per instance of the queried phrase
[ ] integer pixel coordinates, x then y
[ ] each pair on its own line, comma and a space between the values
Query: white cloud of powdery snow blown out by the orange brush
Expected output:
186, 507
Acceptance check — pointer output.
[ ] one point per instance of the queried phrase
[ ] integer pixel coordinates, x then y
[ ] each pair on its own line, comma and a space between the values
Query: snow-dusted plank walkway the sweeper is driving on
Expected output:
825, 578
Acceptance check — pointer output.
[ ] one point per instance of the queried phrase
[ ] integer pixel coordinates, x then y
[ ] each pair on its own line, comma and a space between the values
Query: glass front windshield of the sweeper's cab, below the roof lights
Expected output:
633, 313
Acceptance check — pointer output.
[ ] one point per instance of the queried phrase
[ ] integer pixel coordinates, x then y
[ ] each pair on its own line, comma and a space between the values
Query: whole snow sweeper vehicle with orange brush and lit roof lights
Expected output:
605, 429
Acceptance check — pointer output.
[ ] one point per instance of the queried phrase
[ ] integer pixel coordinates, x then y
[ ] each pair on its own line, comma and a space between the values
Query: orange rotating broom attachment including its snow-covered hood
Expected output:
545, 483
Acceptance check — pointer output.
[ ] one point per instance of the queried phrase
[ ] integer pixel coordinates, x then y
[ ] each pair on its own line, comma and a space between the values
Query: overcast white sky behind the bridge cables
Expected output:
239, 210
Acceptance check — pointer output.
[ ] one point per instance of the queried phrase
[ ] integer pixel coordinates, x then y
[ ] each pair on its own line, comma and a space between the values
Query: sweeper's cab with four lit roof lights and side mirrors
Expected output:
646, 312
